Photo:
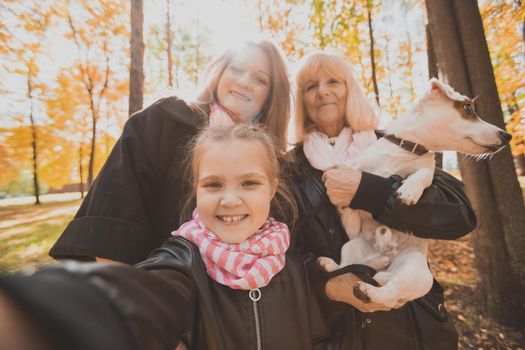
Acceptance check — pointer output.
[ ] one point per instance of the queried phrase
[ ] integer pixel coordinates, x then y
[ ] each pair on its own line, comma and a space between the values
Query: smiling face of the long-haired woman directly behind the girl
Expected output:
245, 85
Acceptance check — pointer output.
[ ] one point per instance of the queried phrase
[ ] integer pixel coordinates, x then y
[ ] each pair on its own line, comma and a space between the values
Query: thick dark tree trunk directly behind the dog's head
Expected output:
492, 186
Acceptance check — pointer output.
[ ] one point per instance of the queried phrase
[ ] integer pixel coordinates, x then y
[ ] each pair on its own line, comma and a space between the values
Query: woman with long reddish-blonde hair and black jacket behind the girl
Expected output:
135, 202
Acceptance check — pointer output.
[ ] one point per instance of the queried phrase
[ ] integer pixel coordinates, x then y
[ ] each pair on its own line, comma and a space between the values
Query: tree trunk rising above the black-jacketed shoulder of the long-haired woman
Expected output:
136, 72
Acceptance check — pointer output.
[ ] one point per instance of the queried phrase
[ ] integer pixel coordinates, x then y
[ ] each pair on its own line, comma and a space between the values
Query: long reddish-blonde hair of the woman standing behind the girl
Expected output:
276, 111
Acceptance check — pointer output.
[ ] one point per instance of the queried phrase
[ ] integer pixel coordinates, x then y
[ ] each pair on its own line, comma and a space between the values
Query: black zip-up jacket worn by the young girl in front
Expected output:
169, 297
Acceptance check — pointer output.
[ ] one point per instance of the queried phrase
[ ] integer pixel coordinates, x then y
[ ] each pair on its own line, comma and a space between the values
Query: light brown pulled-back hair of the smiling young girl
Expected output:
282, 207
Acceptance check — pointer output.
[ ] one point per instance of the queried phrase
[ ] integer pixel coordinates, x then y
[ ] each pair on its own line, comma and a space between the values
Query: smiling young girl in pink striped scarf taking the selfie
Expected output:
223, 281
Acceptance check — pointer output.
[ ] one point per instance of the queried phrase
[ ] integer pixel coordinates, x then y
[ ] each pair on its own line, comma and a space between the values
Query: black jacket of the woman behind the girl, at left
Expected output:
135, 201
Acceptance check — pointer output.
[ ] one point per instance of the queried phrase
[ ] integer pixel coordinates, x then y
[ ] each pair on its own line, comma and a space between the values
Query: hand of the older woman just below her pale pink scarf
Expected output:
341, 184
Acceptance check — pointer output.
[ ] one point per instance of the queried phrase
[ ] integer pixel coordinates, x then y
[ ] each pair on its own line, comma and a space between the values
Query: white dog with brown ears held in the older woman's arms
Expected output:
439, 123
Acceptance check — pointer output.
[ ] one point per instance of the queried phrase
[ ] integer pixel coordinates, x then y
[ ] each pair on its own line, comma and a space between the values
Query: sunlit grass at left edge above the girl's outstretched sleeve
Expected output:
31, 233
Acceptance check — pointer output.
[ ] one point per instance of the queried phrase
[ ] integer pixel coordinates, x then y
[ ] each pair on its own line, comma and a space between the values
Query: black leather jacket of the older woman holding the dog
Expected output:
443, 212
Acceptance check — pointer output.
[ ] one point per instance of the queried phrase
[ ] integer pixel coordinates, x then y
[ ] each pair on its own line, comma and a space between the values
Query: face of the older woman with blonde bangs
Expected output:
325, 102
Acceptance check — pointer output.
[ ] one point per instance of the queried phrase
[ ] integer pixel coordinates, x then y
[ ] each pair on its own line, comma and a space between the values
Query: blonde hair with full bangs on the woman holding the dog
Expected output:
360, 114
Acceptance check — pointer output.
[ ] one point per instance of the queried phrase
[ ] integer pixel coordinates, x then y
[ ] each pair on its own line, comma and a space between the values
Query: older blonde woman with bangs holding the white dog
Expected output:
333, 112
